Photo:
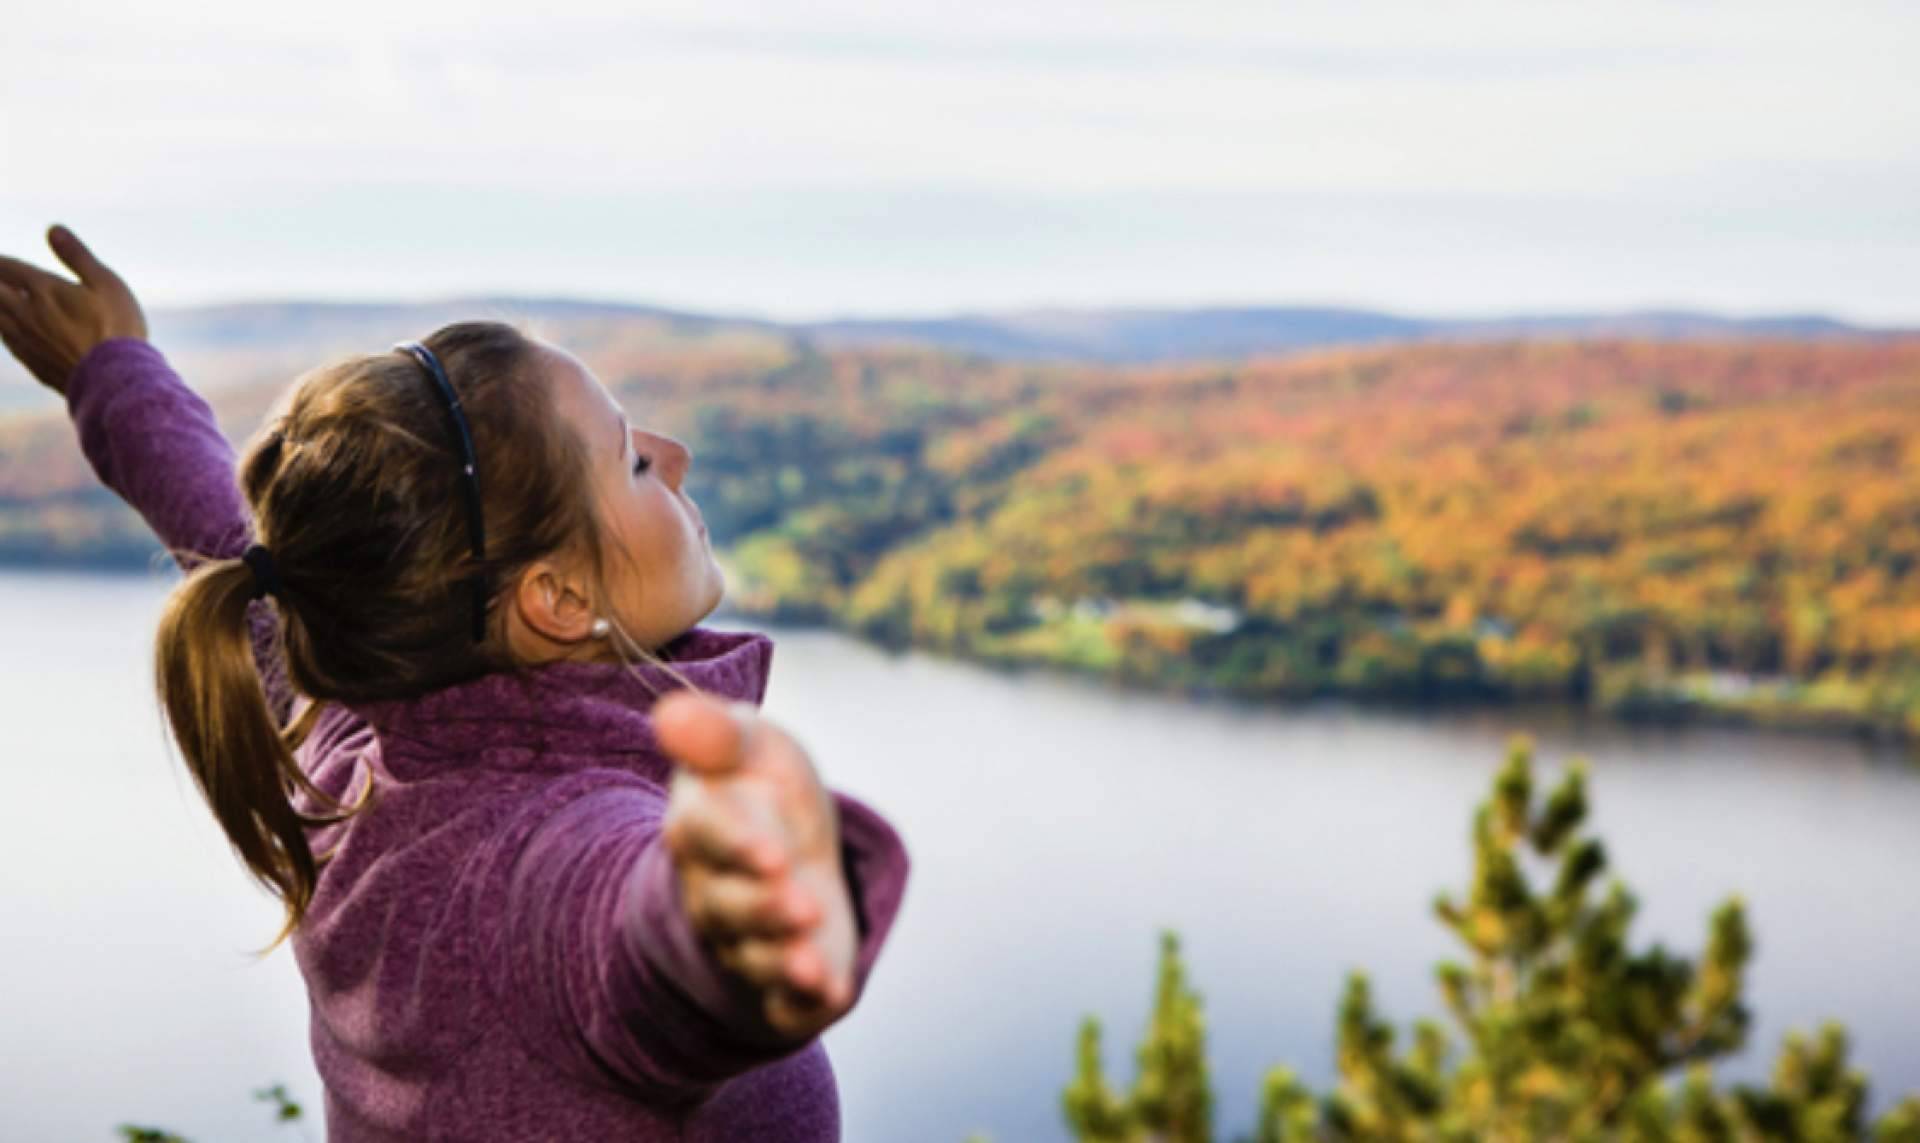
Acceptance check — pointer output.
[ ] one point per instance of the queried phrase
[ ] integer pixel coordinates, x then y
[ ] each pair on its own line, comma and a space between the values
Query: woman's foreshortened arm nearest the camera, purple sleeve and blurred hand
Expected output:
673, 944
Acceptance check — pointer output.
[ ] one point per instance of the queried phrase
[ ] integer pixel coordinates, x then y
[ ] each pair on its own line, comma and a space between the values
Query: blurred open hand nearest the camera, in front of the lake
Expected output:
756, 839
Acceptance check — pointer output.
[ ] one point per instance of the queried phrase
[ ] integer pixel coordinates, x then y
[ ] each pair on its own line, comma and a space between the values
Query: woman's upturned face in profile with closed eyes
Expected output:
660, 564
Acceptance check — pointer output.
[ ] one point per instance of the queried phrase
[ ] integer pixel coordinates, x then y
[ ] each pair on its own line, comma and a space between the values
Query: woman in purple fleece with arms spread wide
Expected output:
437, 671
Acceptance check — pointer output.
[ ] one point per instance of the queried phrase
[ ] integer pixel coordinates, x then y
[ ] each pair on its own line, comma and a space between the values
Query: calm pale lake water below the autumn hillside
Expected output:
1057, 829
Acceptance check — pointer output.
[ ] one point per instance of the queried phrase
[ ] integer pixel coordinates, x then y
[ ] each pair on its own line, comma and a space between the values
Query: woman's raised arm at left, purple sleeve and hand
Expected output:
149, 437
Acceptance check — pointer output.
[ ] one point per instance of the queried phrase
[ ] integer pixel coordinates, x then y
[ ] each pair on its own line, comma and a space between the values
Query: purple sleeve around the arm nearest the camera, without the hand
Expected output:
608, 973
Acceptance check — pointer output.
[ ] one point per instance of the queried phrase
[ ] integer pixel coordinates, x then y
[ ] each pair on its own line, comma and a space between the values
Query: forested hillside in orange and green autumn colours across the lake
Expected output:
1648, 527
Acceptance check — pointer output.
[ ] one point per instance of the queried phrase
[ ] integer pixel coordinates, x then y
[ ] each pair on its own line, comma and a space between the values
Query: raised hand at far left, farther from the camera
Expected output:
51, 324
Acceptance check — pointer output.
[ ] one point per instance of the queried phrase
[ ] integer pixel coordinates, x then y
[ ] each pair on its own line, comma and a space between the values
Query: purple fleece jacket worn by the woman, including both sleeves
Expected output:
498, 948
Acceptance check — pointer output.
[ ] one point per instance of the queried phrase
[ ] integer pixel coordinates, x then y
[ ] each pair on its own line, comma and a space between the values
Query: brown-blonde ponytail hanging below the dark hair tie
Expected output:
241, 758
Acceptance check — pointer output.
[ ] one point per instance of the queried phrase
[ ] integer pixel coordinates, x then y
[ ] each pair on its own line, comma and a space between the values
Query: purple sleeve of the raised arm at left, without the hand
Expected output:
155, 443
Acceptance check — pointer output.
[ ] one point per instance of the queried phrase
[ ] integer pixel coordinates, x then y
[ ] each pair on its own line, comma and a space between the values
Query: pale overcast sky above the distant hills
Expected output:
807, 160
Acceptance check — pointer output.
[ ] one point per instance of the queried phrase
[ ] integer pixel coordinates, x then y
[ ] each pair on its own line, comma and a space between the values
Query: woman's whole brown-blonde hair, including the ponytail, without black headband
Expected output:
354, 491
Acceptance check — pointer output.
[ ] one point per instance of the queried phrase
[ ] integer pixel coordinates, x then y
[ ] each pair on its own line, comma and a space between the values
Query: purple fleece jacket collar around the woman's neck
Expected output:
554, 716
